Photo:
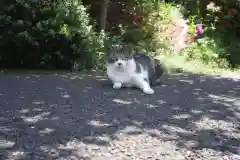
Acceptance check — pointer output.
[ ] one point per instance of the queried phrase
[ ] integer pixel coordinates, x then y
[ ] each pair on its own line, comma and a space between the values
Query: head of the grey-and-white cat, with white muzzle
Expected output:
119, 57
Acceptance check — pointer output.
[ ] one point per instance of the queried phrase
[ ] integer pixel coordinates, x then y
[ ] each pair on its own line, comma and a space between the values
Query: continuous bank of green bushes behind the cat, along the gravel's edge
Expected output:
54, 34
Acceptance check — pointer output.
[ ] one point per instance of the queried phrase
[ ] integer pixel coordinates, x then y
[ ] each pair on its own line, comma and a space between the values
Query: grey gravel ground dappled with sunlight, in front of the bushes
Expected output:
80, 117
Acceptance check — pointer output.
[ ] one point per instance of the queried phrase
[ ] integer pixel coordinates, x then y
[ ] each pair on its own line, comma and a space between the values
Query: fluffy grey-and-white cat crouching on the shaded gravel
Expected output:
127, 70
